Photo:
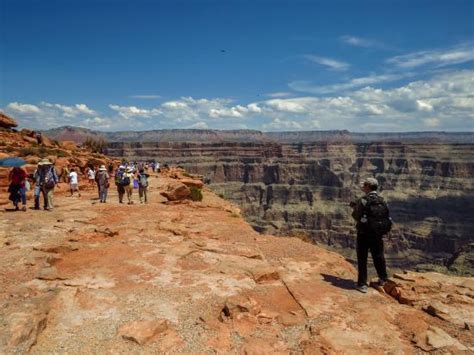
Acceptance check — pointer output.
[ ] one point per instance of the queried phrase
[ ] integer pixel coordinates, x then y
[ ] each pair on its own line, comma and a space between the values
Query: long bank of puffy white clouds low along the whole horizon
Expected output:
443, 102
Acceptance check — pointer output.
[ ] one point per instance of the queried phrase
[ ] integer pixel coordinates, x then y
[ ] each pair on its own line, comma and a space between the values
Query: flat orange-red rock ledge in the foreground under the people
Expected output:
107, 278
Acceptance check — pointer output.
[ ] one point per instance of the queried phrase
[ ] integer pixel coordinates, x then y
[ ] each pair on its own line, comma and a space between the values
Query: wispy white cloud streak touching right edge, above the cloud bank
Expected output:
461, 53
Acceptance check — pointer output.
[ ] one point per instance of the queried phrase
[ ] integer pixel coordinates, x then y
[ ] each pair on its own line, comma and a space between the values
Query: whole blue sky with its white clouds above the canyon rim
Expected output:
268, 65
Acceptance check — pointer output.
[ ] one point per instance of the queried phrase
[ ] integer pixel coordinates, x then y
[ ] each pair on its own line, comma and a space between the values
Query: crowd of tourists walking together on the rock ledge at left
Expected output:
127, 177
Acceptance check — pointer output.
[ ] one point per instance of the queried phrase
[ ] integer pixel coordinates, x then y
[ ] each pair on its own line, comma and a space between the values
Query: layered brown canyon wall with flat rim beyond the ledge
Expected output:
301, 183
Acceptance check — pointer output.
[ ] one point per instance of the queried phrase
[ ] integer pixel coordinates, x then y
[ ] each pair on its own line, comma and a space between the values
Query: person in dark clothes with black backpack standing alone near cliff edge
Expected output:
373, 222
